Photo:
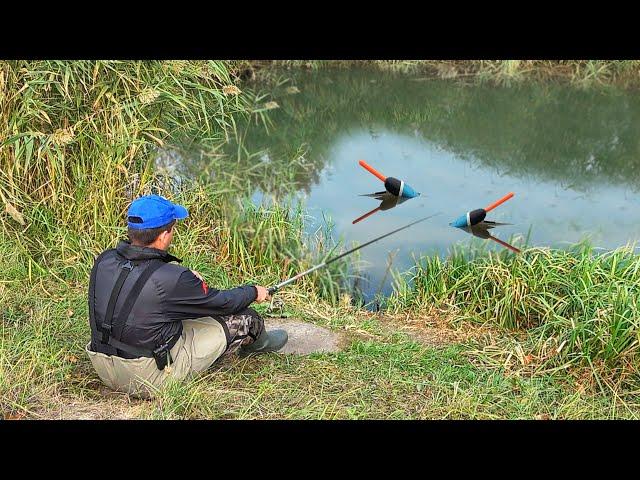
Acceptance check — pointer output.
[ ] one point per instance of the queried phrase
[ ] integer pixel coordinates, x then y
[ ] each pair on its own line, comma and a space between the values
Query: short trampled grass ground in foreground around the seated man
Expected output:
384, 372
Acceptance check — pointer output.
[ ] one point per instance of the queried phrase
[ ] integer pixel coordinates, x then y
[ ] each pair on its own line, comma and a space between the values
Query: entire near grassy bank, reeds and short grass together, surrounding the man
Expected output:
78, 141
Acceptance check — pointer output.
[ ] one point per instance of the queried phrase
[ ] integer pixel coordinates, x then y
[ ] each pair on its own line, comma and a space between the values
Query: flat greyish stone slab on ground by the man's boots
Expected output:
306, 338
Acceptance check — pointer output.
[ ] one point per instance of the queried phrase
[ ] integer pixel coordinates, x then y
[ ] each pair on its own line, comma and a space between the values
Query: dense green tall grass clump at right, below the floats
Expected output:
581, 306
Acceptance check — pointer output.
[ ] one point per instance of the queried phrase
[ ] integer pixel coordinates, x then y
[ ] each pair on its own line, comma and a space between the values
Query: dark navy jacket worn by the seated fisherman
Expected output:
172, 294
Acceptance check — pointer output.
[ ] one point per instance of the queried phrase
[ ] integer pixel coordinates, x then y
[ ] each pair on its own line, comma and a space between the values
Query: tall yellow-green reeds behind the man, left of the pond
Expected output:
78, 142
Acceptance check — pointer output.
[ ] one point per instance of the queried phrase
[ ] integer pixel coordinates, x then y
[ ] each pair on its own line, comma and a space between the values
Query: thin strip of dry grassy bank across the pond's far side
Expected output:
578, 72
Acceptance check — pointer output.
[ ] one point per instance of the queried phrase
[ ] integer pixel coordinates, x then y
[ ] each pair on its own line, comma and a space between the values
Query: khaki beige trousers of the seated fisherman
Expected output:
202, 342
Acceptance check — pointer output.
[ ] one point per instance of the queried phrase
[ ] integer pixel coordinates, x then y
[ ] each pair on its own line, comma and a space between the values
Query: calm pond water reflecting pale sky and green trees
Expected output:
570, 155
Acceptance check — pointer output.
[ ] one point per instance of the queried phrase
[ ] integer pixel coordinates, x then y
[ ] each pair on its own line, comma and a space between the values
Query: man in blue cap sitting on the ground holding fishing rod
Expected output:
151, 319
